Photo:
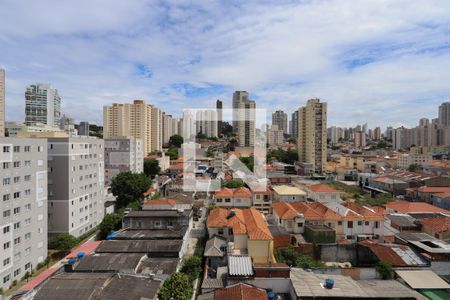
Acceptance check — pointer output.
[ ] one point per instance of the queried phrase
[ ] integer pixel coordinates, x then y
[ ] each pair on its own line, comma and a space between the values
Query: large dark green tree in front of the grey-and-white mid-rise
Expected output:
129, 187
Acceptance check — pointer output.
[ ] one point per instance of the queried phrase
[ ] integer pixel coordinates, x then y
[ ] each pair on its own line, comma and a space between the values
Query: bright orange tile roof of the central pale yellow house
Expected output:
243, 221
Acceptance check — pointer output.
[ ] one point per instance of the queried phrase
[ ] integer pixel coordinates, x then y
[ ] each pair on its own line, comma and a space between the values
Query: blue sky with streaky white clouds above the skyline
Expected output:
374, 61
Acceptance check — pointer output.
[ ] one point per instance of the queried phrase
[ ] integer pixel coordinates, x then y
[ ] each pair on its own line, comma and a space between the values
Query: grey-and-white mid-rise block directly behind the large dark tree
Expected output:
123, 154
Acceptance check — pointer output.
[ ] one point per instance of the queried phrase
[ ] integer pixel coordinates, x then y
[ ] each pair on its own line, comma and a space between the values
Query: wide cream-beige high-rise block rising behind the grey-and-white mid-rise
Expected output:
138, 120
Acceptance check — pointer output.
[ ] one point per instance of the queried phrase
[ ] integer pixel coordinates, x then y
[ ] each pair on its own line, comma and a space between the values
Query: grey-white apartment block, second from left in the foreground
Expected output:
75, 184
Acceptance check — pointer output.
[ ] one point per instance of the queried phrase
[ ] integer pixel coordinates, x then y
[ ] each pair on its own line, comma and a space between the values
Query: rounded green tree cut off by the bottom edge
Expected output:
177, 286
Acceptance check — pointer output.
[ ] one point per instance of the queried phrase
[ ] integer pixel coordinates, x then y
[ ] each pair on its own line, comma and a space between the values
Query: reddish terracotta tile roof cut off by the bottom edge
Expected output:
240, 291
